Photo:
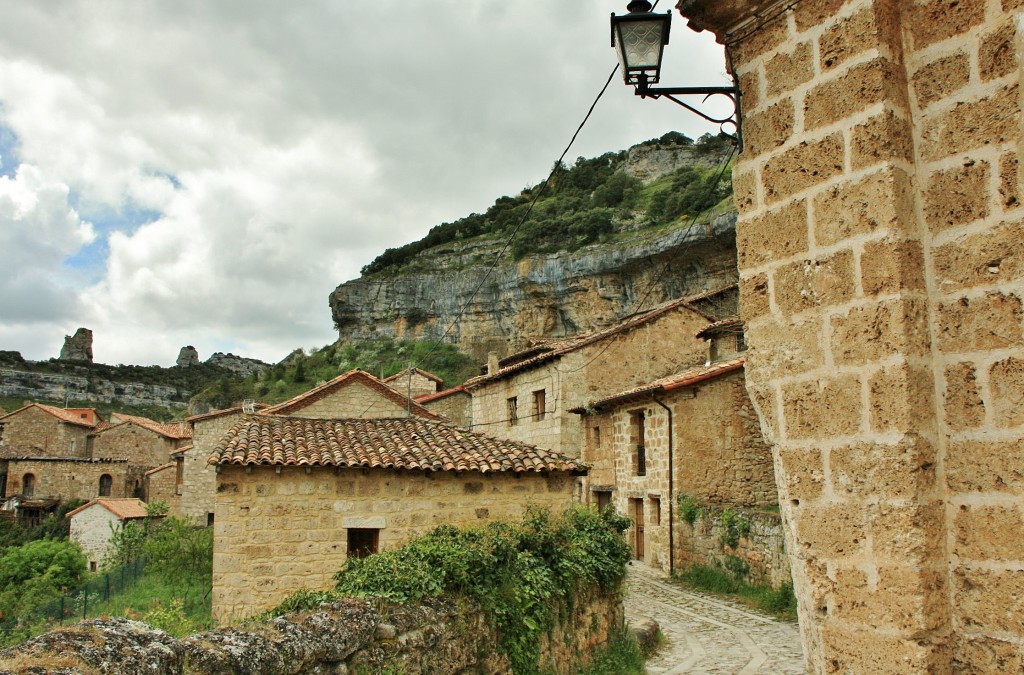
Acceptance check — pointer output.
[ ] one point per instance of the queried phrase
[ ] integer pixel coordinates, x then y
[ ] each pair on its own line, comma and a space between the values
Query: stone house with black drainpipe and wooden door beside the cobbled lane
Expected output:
696, 434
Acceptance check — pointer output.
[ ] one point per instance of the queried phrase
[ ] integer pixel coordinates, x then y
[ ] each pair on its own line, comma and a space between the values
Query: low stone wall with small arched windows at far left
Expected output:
72, 479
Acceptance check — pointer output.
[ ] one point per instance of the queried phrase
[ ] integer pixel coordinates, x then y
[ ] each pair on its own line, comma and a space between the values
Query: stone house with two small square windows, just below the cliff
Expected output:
525, 397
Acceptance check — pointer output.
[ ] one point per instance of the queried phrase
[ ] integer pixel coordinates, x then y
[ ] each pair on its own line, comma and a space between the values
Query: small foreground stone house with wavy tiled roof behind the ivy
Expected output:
297, 496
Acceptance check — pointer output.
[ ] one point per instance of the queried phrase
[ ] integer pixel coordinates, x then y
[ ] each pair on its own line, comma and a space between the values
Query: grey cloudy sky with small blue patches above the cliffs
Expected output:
206, 174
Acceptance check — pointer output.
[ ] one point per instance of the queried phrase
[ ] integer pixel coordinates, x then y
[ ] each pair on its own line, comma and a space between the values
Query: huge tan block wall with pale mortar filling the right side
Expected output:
882, 275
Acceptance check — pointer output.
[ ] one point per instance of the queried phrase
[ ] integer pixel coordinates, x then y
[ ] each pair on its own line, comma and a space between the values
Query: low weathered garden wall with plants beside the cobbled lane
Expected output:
762, 549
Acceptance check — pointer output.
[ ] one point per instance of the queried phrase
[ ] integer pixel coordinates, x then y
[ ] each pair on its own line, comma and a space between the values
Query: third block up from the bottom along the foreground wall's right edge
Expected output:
990, 533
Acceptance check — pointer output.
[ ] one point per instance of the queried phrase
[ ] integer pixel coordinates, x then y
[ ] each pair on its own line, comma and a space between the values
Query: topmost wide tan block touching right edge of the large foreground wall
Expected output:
994, 120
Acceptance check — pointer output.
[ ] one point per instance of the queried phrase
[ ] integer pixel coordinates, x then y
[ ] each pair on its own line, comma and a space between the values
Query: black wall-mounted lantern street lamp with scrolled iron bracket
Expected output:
639, 39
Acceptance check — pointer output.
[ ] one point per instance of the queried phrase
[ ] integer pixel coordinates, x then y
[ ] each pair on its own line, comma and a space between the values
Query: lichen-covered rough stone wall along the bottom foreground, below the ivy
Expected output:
347, 637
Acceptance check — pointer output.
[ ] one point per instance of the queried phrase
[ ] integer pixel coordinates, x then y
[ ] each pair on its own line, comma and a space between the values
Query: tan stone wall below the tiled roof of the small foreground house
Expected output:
278, 533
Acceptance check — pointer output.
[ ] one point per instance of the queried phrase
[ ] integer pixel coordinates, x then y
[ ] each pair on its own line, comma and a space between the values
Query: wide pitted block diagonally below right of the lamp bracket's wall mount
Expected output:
805, 165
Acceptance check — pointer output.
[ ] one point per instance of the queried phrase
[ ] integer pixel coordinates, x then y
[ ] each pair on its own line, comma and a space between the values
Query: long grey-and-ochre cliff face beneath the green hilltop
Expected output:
541, 297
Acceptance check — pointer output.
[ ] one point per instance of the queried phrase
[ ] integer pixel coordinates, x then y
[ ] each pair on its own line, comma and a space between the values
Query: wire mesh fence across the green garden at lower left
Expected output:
75, 604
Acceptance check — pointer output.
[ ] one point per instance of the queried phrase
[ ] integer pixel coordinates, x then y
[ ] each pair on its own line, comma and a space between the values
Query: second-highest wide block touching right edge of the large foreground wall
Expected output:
993, 257
